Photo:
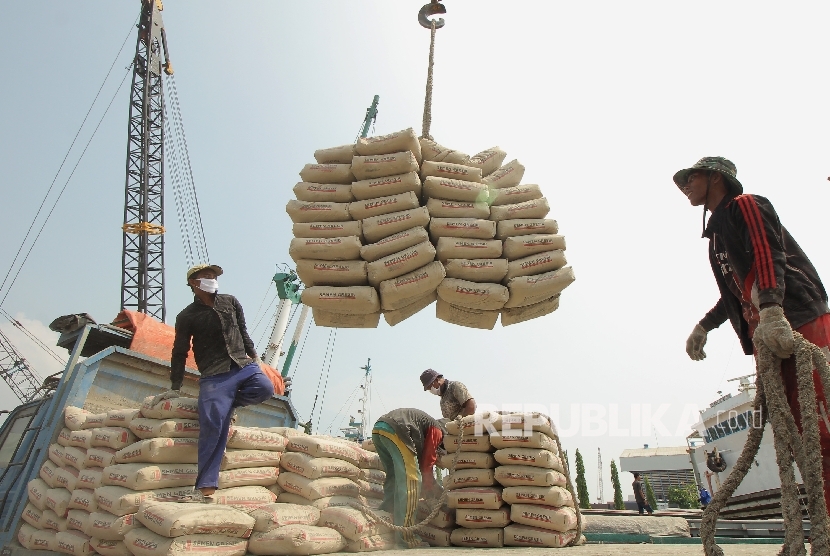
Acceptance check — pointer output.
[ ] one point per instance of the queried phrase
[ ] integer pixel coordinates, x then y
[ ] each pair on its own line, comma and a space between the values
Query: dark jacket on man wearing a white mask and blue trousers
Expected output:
220, 338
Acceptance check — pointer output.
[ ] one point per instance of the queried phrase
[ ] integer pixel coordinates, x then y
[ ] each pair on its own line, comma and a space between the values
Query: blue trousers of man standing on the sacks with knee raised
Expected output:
218, 396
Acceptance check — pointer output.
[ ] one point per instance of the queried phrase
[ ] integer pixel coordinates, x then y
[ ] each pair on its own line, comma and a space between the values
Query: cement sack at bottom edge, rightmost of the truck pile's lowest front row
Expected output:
295, 540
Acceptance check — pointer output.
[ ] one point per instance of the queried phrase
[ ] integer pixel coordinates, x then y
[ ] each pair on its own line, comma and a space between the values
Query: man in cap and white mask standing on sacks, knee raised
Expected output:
228, 364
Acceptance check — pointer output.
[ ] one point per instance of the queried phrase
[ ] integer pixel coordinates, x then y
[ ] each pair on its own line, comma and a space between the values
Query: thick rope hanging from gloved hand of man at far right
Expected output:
790, 446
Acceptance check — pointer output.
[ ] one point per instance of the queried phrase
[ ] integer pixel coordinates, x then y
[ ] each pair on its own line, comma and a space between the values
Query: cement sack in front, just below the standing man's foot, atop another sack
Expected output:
171, 519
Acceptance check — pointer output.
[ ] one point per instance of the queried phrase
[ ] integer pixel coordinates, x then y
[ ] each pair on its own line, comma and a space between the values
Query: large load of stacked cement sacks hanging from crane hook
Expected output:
393, 223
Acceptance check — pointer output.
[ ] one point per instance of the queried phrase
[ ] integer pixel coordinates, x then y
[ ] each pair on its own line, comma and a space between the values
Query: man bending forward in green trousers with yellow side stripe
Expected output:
408, 442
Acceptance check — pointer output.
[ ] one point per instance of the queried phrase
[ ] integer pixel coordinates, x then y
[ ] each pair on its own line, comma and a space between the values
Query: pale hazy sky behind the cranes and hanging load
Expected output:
601, 101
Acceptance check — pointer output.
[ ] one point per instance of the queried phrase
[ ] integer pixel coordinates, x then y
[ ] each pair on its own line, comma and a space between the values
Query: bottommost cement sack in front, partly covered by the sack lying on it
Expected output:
143, 542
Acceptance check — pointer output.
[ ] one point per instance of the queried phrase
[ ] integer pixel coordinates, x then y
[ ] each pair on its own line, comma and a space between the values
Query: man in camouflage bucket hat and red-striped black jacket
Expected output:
768, 286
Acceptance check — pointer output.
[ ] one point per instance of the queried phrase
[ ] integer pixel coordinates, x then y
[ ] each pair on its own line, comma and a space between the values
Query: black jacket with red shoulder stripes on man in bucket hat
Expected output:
748, 243
